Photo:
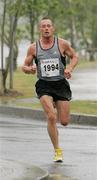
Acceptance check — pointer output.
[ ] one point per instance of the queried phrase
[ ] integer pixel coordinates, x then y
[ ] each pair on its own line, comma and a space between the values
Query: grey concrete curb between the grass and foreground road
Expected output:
81, 119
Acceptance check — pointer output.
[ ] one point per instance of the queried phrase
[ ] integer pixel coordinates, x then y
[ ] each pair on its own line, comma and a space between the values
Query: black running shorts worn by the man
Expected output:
59, 90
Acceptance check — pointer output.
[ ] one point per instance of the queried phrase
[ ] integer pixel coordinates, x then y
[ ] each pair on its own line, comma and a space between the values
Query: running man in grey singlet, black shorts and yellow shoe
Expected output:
52, 87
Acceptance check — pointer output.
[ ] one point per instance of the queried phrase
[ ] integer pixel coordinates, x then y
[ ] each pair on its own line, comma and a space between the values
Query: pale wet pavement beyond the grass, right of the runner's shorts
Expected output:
84, 84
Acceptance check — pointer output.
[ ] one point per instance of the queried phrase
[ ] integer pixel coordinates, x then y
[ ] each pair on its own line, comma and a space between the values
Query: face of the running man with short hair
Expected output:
46, 28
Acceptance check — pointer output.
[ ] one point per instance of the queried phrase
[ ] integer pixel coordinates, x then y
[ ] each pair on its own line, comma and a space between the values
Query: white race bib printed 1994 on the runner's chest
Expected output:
49, 67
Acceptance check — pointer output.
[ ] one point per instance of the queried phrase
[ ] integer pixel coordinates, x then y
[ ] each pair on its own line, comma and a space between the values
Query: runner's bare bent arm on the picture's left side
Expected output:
28, 66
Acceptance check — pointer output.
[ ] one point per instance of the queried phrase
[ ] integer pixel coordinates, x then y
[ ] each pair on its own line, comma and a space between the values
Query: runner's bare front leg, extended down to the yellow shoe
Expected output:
48, 106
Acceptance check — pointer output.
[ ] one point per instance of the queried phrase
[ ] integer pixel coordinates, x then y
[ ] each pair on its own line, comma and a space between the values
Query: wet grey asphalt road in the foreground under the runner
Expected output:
24, 143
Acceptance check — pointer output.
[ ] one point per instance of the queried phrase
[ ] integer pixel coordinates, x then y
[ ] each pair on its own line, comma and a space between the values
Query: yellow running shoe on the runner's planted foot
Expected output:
58, 155
